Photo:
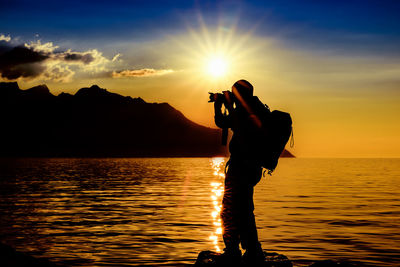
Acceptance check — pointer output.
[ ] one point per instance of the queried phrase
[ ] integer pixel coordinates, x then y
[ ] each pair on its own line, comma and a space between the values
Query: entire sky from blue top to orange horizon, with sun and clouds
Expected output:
333, 65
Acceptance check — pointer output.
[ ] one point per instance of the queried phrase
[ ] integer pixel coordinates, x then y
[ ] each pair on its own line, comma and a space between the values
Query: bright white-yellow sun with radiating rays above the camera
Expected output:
216, 56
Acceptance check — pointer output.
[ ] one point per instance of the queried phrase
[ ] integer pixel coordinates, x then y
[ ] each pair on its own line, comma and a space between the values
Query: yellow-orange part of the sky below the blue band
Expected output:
342, 105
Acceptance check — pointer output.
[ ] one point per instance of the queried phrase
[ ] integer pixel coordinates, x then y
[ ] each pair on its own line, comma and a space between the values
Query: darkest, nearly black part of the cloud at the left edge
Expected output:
20, 61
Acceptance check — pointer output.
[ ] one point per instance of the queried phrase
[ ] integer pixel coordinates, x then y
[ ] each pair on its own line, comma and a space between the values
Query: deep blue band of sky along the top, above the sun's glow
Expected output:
358, 25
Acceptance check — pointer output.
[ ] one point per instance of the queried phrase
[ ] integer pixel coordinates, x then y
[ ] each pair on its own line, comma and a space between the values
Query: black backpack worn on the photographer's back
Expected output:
275, 131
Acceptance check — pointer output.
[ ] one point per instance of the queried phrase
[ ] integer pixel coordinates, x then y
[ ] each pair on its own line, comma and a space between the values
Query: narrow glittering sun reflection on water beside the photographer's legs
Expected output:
217, 191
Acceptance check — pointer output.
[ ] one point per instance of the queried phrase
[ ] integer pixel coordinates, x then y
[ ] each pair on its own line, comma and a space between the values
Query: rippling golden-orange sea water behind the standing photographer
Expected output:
164, 211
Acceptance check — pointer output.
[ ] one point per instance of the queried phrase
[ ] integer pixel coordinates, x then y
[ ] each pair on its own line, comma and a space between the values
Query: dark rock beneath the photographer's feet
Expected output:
208, 258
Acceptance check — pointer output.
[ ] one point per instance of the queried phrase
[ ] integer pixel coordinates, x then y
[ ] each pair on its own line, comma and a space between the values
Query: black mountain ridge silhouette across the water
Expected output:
97, 123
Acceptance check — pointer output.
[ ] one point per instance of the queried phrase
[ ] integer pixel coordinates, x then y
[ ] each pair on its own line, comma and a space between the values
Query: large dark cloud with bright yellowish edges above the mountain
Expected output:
36, 60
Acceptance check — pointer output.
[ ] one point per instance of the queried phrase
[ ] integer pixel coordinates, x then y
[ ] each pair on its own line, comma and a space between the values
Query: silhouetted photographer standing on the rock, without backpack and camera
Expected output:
244, 172
